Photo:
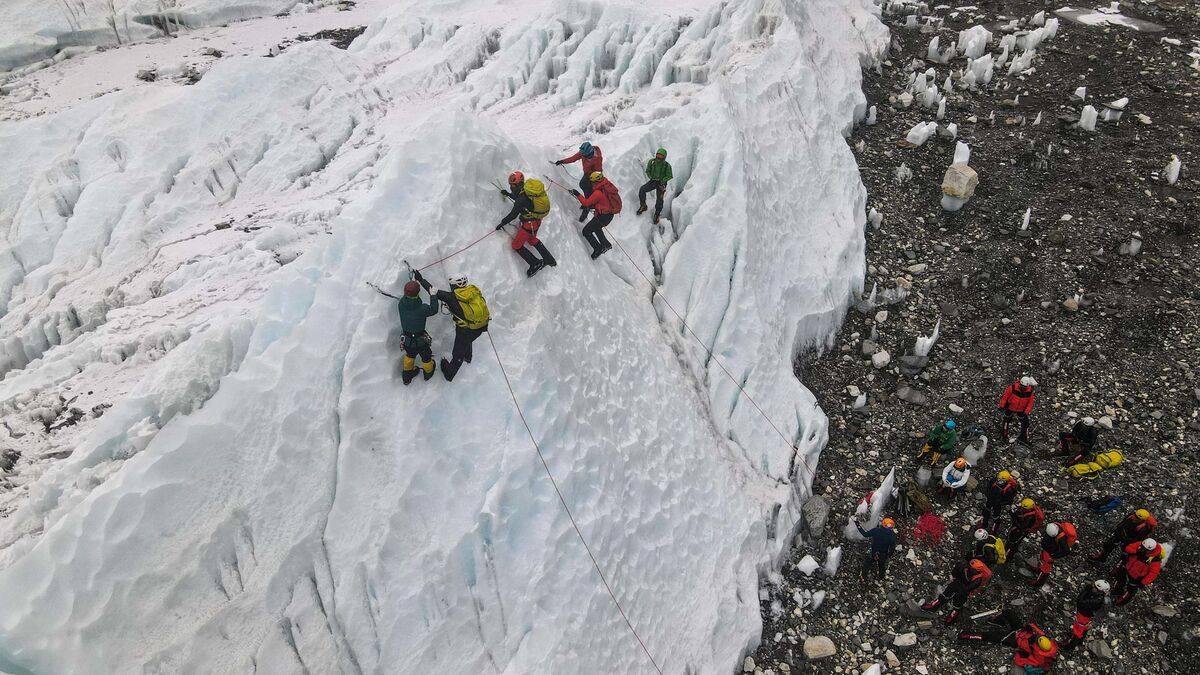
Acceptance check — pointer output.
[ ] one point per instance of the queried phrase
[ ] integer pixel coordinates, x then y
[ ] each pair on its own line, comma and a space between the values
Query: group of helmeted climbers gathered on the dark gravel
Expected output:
1141, 557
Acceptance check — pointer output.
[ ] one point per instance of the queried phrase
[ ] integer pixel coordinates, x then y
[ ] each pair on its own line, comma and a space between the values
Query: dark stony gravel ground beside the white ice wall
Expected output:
1103, 332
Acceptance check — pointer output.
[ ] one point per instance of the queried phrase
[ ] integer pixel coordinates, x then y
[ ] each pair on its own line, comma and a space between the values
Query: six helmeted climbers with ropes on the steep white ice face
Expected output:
466, 304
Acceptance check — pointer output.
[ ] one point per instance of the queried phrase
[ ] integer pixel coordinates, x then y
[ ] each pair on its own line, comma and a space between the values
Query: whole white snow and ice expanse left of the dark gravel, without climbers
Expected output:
263, 493
